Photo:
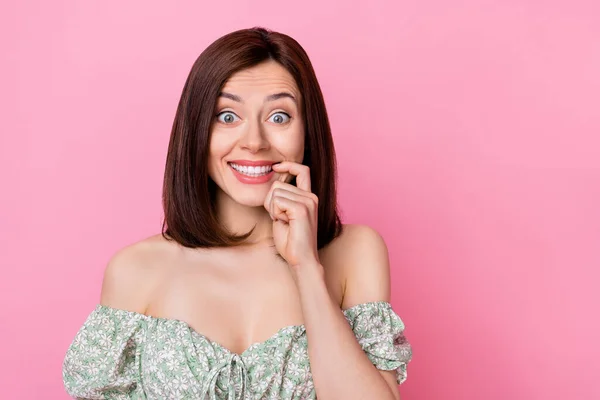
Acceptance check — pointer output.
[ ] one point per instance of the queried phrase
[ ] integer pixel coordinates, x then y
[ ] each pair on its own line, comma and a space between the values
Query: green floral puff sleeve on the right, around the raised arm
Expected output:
380, 332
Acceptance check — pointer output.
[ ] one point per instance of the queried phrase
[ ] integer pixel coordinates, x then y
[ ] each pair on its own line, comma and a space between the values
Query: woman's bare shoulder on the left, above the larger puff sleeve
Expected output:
133, 273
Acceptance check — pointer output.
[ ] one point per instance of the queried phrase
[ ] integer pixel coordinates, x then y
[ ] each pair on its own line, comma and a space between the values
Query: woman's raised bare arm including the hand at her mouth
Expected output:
340, 367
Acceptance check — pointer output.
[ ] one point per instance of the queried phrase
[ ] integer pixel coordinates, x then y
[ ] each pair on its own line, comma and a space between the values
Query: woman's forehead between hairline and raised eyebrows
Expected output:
269, 76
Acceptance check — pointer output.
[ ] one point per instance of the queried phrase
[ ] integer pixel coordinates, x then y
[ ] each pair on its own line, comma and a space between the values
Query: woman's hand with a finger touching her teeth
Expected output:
294, 211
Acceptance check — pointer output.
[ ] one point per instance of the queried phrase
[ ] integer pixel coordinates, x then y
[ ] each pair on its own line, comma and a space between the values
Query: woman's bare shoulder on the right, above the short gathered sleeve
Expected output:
360, 257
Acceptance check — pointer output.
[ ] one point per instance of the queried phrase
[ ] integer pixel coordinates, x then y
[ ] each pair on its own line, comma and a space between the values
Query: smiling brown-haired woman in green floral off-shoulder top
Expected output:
241, 295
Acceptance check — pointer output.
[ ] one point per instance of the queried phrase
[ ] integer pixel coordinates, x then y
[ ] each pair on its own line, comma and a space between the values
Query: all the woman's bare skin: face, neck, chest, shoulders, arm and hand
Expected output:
242, 295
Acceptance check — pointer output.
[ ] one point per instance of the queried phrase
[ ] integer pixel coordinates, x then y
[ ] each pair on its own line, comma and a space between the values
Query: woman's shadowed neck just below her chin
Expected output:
240, 219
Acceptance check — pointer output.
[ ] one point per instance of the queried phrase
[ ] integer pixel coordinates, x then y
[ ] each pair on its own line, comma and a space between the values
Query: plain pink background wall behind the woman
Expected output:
467, 134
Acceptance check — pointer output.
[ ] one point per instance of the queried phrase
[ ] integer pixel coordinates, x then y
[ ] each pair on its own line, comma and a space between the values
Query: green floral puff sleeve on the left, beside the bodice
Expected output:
103, 361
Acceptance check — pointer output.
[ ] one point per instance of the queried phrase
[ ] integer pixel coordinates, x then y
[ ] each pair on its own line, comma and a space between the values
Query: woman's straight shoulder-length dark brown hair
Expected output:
188, 191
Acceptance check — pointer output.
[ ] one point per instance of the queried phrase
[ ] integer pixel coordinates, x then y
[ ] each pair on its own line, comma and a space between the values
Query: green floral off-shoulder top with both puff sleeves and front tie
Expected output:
119, 354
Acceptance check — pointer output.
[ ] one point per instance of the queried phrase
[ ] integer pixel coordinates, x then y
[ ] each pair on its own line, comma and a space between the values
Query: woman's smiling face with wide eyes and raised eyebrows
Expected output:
257, 123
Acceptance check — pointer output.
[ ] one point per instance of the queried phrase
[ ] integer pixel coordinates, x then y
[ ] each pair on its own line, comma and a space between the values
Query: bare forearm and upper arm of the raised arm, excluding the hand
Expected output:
340, 367
